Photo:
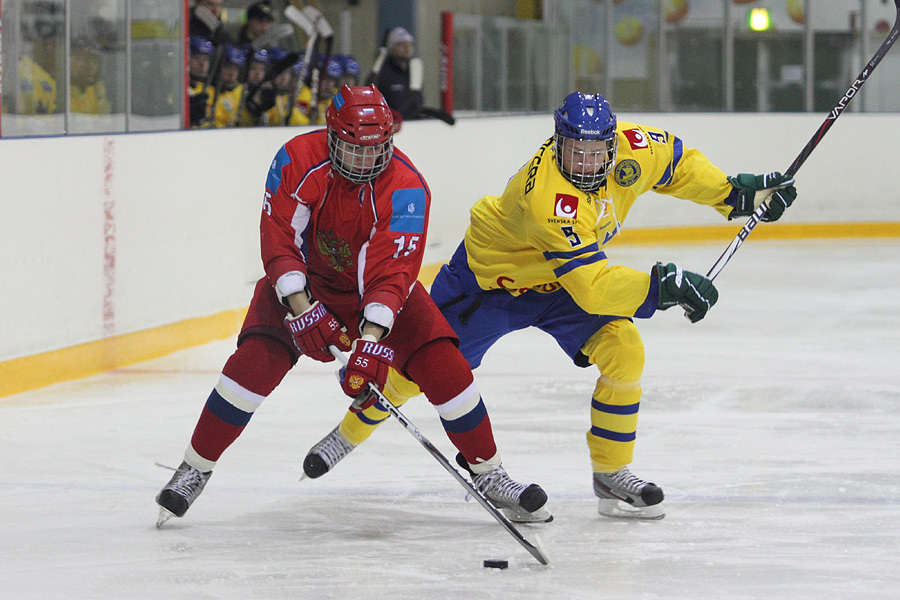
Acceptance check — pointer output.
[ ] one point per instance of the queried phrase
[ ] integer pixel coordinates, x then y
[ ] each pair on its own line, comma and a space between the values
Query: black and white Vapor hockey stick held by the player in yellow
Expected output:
757, 215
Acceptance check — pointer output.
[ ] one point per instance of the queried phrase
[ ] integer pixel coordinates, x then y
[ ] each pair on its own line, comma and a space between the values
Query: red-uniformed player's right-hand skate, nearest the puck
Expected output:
519, 502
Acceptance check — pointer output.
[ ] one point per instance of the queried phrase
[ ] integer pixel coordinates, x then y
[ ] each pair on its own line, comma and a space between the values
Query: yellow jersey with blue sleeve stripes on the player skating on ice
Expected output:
543, 233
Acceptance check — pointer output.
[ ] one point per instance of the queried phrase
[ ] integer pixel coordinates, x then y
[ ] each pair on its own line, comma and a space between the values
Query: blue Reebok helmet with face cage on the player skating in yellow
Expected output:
585, 140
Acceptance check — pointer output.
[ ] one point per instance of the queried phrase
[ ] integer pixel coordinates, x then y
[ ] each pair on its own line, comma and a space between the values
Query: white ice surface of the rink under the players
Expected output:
773, 427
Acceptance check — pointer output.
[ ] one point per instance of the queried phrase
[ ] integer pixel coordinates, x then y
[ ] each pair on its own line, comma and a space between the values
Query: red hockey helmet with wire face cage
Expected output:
360, 133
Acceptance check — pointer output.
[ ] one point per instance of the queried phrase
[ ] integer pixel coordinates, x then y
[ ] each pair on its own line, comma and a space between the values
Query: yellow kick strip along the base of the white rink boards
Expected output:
39, 370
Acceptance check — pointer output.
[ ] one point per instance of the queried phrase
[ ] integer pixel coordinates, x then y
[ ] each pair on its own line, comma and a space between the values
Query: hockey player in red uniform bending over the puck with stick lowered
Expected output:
342, 235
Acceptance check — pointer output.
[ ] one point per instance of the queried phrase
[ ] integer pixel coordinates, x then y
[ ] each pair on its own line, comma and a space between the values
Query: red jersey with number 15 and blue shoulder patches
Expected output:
351, 241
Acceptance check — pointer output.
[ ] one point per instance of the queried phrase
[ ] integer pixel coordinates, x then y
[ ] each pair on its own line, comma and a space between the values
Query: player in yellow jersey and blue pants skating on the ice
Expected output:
535, 257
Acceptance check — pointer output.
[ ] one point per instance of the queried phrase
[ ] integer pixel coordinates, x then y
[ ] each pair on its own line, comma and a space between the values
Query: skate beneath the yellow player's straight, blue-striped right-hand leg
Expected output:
625, 496
